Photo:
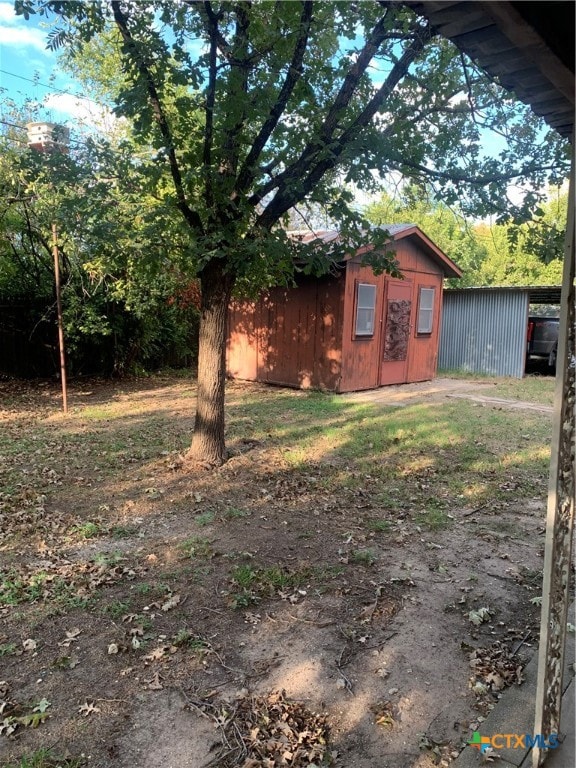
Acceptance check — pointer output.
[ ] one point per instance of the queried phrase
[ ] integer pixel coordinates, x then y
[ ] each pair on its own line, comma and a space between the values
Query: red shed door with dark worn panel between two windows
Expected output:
396, 336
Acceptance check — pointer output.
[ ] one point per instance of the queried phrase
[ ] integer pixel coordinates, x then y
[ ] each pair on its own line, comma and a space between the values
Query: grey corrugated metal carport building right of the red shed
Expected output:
484, 329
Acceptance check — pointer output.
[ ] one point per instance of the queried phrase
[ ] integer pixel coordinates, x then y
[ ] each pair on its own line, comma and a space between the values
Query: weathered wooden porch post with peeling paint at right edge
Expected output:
560, 517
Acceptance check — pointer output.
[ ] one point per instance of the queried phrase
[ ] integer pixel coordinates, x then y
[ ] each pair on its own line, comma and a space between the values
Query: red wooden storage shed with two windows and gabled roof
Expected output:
348, 332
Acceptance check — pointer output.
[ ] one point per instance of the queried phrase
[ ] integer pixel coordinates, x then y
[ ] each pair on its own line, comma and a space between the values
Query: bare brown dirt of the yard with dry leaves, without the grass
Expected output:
398, 657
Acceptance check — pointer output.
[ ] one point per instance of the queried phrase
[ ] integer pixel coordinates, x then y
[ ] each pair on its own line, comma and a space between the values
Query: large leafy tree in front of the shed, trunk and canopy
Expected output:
256, 107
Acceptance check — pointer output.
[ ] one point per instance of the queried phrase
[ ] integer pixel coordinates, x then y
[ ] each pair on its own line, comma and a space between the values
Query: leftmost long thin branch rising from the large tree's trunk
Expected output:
192, 217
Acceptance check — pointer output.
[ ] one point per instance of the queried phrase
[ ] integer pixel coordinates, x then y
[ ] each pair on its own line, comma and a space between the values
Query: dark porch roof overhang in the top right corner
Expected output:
528, 46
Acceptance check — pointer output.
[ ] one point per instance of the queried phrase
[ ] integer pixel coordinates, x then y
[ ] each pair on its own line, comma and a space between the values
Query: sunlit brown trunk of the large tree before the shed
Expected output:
208, 445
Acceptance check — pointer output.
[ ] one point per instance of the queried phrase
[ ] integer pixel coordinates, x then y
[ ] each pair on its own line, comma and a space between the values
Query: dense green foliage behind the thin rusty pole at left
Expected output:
121, 285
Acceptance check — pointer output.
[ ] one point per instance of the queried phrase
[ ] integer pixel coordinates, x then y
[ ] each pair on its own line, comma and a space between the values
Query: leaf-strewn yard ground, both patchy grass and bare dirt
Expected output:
155, 611
